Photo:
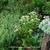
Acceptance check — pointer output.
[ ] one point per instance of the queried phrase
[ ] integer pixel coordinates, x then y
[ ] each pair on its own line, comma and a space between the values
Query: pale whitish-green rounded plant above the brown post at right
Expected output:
45, 26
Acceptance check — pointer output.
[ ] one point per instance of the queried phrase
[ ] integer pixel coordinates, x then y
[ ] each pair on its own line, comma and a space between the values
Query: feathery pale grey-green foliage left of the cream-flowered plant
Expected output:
7, 23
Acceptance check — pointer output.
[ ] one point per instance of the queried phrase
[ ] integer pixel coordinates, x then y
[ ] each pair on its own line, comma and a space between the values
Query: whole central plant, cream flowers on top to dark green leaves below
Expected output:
27, 24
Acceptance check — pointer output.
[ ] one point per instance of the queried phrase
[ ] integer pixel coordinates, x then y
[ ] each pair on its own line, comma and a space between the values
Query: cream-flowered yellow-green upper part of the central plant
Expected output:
28, 23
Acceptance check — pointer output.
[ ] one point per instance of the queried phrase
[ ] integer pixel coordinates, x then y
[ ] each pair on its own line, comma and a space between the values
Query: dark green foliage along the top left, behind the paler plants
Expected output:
15, 6
